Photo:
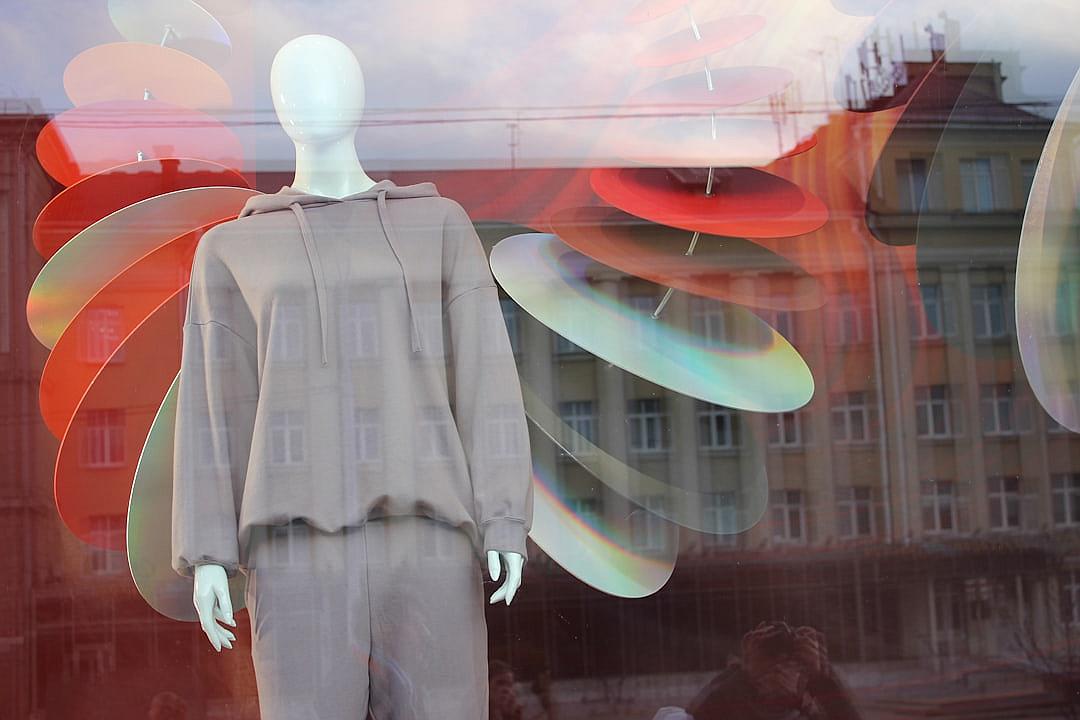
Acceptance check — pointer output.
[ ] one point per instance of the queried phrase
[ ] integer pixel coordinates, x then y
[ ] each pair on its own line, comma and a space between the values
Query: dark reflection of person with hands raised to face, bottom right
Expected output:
785, 674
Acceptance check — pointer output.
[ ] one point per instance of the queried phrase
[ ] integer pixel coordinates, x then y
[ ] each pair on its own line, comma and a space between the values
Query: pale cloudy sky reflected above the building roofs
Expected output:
444, 79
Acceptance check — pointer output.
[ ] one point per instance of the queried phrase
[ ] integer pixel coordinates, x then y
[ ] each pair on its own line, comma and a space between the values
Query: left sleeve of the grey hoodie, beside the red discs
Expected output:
215, 414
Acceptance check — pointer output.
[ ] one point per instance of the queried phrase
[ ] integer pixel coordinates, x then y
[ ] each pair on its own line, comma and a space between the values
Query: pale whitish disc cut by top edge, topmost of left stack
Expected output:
191, 28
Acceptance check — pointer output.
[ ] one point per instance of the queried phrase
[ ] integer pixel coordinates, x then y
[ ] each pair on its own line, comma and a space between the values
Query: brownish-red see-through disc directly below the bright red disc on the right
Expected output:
728, 269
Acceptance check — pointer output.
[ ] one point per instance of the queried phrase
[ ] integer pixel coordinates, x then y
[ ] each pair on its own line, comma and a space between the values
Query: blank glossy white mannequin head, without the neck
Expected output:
318, 89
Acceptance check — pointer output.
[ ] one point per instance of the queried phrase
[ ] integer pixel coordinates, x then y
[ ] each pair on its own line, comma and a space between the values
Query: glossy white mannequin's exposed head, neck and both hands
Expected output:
318, 89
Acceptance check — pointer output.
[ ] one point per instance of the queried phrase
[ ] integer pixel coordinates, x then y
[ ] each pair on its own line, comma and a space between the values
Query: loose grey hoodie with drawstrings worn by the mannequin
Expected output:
344, 360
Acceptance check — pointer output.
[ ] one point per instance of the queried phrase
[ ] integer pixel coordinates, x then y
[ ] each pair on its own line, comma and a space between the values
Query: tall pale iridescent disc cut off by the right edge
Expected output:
1048, 270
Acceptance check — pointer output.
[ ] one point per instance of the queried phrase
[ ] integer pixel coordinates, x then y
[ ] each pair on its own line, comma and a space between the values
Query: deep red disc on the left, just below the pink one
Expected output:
90, 200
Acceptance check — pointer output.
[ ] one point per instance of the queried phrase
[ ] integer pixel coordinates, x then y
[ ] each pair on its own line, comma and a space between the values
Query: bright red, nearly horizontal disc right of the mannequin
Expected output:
746, 202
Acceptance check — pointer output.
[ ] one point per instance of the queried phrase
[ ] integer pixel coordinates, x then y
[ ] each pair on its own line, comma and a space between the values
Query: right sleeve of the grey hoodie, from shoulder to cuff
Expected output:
488, 396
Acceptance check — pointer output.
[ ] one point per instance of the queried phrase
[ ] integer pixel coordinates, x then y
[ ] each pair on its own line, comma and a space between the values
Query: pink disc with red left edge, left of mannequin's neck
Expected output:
96, 138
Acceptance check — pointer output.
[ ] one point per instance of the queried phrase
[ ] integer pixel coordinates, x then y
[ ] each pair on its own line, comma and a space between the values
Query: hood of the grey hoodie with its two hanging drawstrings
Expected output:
298, 200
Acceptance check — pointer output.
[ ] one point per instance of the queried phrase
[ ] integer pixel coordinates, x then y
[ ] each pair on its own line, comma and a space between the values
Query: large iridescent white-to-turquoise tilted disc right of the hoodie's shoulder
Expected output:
750, 368
